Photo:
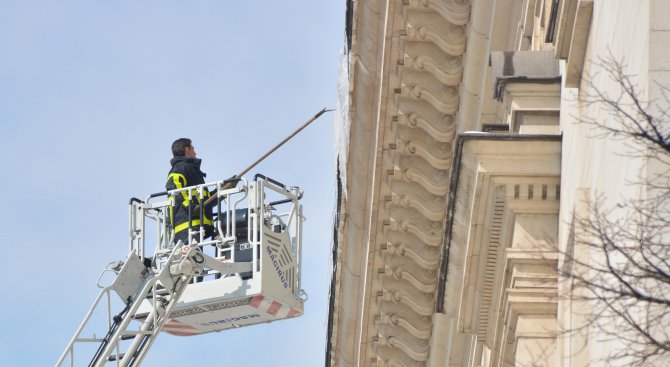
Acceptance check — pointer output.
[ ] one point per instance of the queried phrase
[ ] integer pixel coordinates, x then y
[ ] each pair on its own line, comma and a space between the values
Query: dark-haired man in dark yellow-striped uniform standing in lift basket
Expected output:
186, 172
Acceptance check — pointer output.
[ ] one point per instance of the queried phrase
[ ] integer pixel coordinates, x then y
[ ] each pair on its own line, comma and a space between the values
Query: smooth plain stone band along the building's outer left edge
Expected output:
354, 219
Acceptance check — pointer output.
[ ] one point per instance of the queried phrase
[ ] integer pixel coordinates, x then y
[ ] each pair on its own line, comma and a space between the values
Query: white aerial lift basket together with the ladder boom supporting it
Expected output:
246, 272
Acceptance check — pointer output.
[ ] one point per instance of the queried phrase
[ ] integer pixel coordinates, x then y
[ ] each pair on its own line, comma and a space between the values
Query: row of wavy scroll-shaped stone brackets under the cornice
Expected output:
421, 153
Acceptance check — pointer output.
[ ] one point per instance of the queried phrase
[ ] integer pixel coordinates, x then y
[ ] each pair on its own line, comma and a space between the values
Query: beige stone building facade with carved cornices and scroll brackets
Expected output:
467, 151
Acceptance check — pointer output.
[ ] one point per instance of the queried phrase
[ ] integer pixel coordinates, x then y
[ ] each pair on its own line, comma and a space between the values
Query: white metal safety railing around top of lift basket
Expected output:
263, 201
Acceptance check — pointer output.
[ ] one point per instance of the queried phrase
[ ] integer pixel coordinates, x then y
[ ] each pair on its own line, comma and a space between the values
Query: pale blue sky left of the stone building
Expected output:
92, 94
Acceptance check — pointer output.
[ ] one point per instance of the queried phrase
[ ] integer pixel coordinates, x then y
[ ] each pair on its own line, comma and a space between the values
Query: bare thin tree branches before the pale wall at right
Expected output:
627, 275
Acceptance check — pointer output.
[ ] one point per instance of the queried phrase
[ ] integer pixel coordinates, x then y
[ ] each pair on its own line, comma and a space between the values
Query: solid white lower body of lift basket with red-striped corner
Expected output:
229, 302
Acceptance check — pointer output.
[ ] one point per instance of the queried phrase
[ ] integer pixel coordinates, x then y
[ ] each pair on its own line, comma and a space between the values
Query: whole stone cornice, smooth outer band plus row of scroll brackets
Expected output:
405, 73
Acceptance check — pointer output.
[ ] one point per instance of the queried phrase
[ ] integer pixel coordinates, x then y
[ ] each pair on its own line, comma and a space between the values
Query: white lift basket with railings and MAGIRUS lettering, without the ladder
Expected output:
258, 224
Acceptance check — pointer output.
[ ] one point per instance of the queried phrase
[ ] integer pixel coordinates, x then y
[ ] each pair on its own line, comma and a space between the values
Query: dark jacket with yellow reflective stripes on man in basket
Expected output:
186, 172
